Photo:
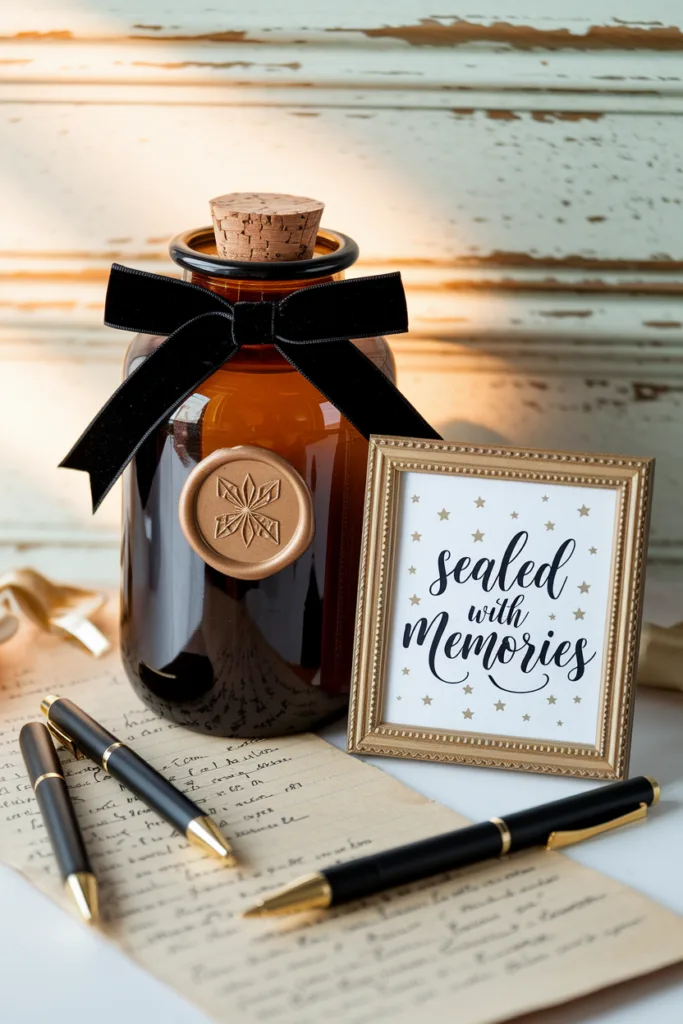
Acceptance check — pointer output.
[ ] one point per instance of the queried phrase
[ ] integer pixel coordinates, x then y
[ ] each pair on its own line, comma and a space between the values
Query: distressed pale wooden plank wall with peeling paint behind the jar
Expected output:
523, 166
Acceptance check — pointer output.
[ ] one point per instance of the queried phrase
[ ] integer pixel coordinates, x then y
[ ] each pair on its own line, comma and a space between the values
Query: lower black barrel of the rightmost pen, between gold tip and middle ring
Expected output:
410, 864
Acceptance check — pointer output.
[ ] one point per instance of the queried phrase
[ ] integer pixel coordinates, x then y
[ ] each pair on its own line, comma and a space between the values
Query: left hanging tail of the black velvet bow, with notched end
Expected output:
166, 378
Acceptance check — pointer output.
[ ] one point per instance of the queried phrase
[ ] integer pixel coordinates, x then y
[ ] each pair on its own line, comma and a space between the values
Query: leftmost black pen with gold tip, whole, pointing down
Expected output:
49, 784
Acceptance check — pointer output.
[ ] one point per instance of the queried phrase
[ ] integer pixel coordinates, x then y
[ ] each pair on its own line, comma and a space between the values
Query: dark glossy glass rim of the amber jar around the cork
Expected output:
193, 251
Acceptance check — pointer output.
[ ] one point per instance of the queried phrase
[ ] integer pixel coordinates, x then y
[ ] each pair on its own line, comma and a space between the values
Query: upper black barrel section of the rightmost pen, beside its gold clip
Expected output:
586, 810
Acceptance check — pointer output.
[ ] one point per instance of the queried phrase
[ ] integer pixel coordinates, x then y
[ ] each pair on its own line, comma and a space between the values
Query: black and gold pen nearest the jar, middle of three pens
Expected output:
84, 738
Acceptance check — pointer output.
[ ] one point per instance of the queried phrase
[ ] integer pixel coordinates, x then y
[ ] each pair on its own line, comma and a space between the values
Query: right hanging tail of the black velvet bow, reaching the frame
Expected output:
358, 389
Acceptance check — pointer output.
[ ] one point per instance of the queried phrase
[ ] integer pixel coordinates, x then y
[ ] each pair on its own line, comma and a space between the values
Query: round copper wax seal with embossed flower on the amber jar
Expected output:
247, 513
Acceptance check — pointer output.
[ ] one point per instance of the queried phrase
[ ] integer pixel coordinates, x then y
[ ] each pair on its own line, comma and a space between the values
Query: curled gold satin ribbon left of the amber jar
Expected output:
55, 608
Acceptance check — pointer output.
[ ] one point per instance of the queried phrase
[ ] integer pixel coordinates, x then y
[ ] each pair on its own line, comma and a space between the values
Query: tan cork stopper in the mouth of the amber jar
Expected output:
266, 227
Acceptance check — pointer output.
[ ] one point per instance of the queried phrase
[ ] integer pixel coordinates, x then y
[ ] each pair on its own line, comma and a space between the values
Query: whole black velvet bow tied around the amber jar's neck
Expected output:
311, 328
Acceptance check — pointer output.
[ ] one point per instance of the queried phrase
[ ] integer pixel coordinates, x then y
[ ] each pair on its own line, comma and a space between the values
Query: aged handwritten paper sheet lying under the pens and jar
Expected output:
493, 942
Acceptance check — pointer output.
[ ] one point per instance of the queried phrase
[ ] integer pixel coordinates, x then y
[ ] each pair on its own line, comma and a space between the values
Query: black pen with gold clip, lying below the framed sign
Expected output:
553, 826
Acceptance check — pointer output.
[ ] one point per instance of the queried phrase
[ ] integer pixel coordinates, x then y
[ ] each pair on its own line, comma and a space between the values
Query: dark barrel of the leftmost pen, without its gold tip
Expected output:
45, 771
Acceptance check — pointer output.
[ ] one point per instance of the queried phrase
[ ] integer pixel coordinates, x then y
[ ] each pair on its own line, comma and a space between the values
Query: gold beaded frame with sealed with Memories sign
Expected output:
500, 607
